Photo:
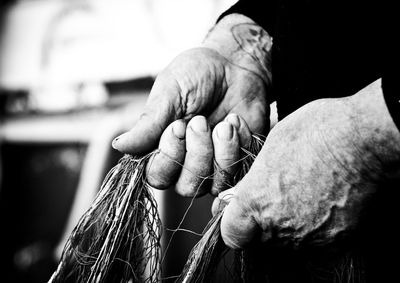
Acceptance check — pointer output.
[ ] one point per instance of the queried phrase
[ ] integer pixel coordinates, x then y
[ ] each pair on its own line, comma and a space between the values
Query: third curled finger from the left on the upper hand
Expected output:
226, 154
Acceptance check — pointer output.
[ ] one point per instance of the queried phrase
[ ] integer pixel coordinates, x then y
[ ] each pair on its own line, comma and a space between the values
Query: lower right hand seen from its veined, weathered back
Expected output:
317, 171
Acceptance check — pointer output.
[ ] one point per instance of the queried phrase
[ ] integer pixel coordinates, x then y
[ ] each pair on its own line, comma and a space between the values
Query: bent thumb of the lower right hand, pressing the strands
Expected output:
238, 226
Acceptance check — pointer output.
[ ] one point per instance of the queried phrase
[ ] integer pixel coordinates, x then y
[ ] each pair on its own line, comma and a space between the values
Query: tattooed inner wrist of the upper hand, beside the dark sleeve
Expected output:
243, 43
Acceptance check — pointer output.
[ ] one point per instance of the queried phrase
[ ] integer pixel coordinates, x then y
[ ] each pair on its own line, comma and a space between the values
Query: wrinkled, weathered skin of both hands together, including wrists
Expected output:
317, 170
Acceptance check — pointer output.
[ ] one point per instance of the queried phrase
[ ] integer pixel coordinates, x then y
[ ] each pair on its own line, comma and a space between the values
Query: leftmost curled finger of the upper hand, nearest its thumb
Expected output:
163, 168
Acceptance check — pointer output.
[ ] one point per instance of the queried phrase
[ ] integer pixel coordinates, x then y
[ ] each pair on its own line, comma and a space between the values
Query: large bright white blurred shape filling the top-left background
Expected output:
70, 42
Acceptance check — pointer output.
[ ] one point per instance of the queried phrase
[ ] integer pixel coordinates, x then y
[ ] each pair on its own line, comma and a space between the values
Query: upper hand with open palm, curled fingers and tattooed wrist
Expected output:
213, 80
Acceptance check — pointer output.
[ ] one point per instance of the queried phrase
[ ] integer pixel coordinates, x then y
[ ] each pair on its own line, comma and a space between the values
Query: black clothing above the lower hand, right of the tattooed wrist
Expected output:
326, 48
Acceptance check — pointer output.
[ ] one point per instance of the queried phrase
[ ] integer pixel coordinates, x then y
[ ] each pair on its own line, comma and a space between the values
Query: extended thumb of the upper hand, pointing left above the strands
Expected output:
161, 109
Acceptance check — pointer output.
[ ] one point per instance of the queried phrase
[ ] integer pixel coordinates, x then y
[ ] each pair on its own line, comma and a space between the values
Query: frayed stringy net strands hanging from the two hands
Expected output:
119, 238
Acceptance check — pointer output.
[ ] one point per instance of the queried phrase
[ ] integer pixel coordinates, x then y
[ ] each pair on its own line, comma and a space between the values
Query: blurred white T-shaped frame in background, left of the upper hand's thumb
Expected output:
95, 128
